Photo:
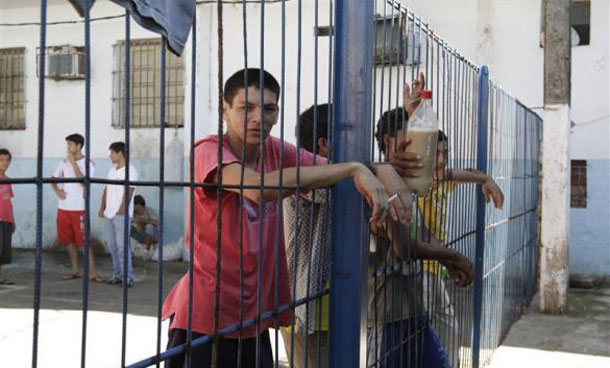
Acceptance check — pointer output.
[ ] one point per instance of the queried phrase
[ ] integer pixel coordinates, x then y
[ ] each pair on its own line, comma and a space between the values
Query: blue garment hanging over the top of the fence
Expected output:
171, 19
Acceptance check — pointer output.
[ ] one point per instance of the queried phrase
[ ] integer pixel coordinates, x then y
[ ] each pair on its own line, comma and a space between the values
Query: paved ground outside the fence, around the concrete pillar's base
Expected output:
580, 338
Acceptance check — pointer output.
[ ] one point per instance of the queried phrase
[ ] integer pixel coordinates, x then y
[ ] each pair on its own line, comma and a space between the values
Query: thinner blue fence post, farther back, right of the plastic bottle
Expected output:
483, 102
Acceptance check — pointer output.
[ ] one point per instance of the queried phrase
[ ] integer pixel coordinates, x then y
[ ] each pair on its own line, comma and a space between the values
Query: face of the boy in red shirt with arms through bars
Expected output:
241, 110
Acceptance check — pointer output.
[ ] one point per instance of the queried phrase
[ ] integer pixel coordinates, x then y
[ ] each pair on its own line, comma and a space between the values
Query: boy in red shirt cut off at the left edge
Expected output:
7, 219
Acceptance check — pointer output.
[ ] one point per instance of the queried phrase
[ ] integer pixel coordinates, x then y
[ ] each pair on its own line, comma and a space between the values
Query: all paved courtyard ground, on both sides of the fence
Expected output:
578, 339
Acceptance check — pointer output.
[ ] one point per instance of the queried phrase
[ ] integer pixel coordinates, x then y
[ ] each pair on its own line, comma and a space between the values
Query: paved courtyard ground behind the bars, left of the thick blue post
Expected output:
60, 331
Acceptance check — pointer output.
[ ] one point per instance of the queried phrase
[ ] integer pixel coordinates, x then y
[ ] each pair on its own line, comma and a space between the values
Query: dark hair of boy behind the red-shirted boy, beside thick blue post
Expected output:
305, 129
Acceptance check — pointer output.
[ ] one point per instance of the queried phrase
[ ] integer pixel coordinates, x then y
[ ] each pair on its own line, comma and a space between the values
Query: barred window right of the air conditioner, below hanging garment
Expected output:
145, 83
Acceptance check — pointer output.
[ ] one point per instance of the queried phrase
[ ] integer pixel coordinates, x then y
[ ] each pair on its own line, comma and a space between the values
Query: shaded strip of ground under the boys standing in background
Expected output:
56, 293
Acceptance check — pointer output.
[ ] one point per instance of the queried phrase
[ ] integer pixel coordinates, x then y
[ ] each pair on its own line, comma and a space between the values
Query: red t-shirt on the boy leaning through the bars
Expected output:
205, 244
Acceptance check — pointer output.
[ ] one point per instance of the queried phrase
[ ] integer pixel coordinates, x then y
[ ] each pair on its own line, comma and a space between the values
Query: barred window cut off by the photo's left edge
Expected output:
12, 89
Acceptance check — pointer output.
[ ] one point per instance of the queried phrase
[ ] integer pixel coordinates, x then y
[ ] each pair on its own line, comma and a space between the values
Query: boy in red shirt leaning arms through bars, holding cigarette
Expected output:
247, 125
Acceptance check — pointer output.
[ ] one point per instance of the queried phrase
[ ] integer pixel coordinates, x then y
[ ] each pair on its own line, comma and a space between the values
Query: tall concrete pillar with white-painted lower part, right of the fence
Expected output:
555, 156
